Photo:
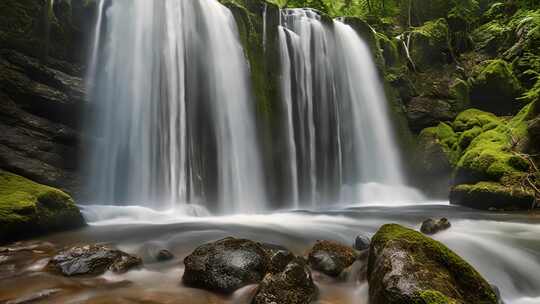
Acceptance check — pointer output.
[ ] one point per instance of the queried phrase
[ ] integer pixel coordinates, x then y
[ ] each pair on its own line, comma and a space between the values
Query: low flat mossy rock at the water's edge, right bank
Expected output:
492, 195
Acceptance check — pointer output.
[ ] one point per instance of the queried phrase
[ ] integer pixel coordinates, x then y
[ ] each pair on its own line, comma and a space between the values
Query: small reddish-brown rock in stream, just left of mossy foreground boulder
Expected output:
331, 258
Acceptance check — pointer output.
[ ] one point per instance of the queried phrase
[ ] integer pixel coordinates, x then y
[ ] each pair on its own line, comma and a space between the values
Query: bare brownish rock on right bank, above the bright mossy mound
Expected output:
423, 112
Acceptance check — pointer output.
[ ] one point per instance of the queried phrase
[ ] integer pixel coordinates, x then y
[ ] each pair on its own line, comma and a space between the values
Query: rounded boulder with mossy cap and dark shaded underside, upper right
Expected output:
495, 88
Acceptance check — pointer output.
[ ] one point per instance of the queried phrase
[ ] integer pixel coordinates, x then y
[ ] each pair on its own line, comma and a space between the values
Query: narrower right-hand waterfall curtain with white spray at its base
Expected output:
337, 120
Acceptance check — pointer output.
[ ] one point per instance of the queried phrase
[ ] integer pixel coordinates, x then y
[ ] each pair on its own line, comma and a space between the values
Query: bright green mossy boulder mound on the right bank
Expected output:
490, 156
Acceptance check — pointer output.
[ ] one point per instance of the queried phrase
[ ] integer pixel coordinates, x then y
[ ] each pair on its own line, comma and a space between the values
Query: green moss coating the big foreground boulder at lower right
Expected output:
435, 259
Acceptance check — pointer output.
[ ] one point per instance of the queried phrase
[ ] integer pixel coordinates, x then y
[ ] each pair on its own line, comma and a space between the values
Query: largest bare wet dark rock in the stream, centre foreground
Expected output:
226, 265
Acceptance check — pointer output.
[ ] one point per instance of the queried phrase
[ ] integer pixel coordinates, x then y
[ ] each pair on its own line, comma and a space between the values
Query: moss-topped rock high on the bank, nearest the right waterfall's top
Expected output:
430, 45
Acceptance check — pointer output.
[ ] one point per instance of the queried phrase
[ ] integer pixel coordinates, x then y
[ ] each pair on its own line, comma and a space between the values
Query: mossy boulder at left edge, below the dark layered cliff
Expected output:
28, 208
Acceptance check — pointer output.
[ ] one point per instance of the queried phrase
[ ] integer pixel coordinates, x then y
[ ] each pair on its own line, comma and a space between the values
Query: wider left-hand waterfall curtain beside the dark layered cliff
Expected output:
171, 109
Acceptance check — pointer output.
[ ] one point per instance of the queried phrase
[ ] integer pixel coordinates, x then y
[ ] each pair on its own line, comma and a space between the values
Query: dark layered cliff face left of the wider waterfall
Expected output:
41, 88
